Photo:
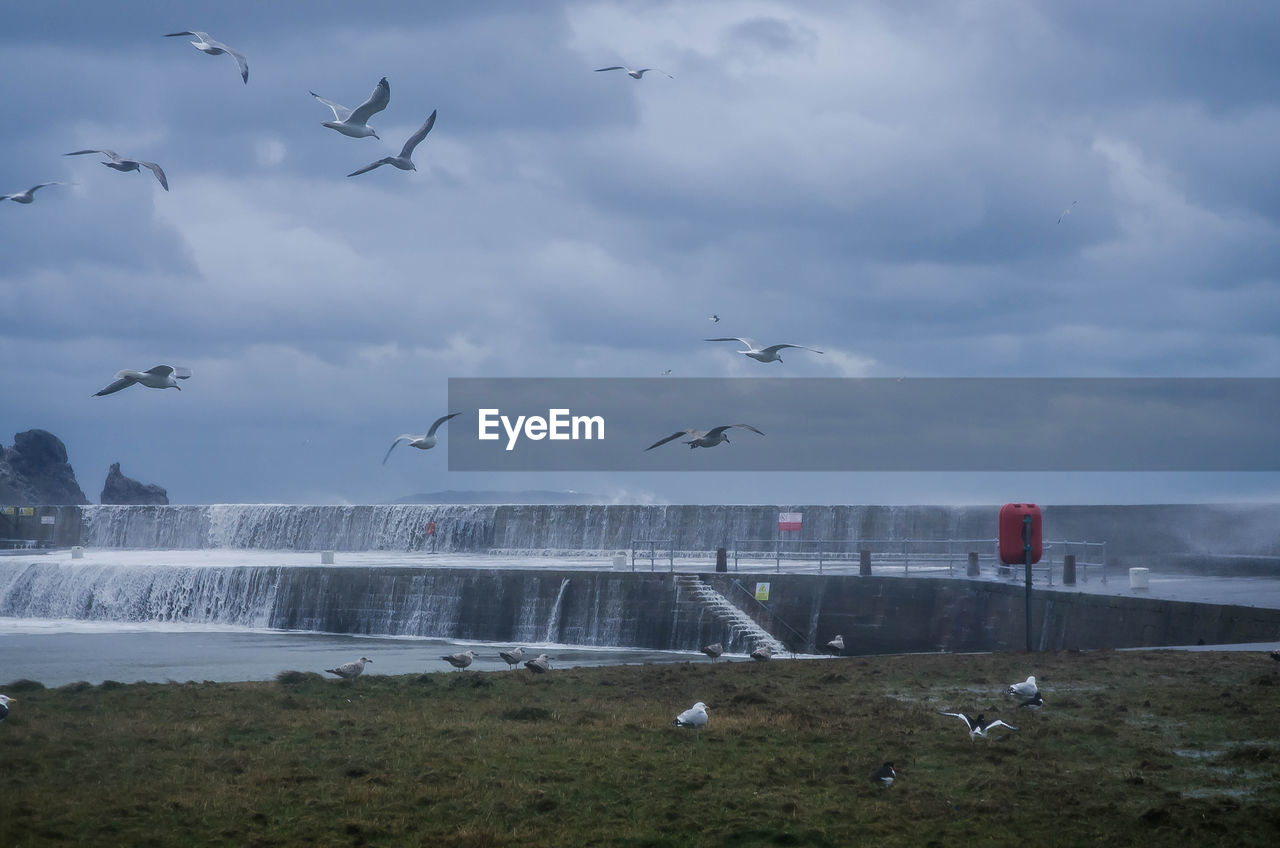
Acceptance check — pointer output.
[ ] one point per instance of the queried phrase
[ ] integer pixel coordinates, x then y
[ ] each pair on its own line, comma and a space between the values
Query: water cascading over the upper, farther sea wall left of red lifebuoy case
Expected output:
525, 530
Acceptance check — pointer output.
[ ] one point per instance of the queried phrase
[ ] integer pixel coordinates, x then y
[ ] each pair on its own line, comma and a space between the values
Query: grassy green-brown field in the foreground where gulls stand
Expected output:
1153, 749
